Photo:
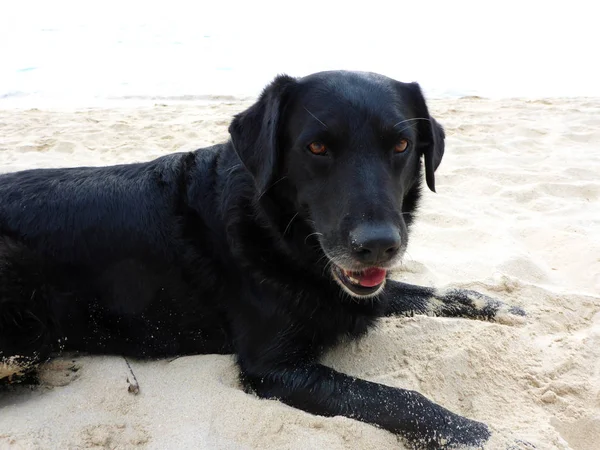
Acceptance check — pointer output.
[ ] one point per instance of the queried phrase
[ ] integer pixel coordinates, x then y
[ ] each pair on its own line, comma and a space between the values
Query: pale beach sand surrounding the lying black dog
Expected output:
517, 216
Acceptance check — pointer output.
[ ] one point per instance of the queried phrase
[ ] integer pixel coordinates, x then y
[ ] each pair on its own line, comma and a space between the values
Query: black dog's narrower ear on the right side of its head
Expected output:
431, 133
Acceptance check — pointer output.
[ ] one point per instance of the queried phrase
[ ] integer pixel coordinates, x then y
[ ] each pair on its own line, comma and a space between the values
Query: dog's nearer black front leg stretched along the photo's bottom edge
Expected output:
323, 391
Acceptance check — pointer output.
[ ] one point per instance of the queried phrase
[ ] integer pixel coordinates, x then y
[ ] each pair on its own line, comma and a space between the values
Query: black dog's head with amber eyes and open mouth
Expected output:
348, 149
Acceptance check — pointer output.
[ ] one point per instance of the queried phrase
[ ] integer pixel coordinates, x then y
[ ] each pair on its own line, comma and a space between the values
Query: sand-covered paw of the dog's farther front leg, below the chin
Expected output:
475, 305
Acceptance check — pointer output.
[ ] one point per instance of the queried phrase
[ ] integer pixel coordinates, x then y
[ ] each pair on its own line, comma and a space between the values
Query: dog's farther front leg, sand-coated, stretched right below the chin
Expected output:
407, 299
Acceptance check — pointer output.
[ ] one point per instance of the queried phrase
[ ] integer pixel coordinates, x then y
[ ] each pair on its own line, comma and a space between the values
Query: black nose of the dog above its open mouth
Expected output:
375, 244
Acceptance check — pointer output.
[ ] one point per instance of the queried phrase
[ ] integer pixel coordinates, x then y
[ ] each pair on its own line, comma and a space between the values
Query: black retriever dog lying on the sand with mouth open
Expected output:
273, 246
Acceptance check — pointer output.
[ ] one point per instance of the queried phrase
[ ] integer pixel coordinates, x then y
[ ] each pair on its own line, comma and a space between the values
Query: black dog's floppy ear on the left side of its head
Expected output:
254, 131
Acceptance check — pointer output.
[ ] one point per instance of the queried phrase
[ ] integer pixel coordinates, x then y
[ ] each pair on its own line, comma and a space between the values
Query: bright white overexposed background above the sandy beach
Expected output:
500, 48
